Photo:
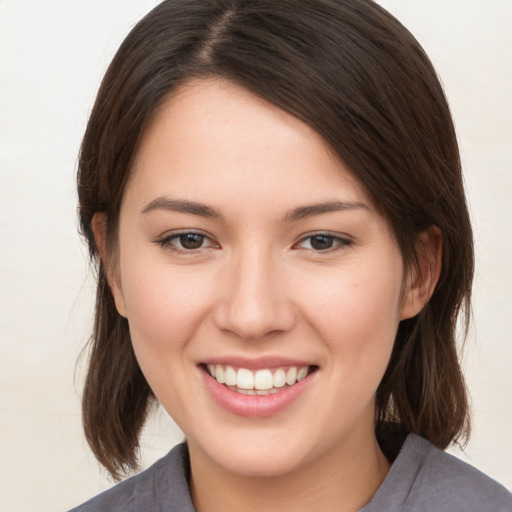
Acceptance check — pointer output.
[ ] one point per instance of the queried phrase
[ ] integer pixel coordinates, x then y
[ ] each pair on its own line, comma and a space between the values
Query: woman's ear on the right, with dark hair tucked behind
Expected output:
422, 279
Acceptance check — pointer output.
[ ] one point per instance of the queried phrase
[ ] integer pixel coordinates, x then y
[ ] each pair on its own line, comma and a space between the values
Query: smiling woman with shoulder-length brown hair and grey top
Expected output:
274, 196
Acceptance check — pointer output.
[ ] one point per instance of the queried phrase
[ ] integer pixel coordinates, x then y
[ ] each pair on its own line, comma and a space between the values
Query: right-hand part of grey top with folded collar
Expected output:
426, 478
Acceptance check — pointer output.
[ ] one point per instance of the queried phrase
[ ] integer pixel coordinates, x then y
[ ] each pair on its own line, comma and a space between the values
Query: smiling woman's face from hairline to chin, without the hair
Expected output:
248, 252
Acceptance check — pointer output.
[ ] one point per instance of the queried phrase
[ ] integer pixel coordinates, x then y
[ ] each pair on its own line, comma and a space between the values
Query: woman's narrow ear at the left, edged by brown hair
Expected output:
99, 229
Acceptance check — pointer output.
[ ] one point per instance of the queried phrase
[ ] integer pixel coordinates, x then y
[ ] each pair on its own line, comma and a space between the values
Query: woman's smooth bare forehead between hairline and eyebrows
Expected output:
216, 142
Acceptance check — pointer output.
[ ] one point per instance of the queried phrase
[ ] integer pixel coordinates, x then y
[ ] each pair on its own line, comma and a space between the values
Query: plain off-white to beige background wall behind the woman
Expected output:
52, 57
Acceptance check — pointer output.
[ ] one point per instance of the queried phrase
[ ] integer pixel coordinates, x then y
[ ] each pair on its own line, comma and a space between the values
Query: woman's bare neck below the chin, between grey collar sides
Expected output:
343, 480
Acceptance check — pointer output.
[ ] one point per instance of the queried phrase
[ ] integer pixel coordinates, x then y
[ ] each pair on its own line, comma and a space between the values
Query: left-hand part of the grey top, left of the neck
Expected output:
163, 482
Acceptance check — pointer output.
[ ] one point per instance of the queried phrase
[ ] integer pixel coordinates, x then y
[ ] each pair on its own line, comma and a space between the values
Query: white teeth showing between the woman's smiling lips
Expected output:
261, 382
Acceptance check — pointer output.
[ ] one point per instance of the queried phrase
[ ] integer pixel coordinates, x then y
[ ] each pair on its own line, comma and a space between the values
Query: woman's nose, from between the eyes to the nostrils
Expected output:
255, 300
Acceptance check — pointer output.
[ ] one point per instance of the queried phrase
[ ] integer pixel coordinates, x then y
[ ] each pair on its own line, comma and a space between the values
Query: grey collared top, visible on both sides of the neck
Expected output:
422, 478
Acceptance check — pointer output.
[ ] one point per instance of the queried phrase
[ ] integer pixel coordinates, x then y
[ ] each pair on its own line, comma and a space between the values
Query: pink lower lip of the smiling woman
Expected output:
254, 406
